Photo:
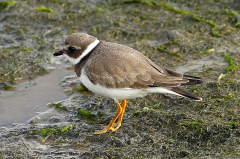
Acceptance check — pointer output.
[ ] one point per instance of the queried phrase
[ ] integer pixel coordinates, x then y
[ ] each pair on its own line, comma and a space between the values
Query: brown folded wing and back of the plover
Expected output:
128, 69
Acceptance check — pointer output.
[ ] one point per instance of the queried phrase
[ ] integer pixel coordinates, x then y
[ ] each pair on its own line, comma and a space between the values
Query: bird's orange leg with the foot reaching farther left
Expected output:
110, 125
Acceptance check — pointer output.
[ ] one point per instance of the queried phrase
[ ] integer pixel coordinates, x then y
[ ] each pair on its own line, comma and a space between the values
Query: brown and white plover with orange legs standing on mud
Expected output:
120, 72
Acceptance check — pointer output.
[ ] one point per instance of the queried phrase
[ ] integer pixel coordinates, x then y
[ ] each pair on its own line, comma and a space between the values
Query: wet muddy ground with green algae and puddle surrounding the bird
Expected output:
200, 38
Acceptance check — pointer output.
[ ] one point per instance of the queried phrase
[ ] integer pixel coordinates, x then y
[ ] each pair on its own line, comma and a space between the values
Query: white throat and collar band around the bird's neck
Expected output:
75, 61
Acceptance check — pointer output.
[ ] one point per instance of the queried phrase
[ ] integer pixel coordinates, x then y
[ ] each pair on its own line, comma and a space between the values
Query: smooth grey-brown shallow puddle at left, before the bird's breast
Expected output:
31, 97
